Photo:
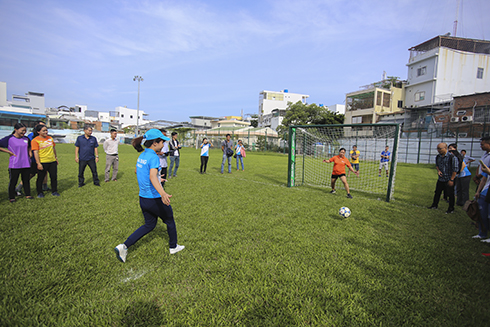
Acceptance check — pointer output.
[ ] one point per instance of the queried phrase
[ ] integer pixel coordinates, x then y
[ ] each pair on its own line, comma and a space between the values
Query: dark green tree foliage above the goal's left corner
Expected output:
308, 114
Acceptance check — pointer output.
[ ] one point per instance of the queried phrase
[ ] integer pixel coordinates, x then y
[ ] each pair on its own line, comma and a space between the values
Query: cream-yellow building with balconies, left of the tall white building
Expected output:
365, 106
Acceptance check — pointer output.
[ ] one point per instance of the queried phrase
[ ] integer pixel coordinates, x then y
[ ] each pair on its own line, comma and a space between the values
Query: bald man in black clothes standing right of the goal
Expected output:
447, 168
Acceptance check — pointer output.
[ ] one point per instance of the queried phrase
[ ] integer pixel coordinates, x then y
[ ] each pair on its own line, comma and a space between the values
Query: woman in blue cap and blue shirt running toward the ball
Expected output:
154, 201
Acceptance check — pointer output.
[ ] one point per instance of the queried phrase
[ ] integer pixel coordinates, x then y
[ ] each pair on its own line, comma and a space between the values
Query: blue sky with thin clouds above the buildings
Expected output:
214, 57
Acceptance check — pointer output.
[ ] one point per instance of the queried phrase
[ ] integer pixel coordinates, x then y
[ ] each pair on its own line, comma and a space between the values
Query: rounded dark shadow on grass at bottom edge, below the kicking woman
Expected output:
143, 314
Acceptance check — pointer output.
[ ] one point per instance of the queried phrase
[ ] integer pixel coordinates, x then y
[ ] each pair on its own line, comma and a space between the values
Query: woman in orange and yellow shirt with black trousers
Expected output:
44, 150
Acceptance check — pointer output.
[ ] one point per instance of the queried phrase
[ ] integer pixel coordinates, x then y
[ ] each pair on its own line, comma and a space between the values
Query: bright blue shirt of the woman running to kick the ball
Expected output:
146, 161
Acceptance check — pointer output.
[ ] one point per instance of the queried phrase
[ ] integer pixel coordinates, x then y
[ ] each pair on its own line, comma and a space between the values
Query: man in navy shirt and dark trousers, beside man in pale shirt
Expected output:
86, 153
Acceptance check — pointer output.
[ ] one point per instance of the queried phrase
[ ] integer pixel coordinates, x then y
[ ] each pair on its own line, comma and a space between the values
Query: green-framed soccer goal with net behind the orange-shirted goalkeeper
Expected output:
309, 145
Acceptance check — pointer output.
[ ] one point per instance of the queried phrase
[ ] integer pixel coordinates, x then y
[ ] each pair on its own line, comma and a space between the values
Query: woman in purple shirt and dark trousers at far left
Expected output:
18, 147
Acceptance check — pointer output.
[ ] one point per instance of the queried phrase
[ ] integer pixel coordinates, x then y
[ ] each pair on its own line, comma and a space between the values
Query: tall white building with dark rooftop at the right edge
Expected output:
444, 67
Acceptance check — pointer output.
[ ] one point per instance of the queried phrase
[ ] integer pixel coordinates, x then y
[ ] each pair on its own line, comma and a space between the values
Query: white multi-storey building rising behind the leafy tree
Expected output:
271, 100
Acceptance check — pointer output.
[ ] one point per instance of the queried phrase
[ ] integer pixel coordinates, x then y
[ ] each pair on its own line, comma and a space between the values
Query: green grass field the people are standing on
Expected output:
257, 253
